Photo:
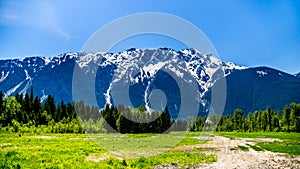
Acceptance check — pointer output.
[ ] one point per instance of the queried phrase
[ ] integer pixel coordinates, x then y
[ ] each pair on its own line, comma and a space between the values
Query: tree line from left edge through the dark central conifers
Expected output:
26, 113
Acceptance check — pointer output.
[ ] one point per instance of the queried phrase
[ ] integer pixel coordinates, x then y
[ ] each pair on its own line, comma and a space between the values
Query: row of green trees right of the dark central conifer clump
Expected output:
267, 120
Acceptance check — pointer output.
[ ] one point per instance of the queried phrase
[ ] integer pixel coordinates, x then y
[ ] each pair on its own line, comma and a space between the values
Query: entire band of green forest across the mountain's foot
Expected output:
27, 114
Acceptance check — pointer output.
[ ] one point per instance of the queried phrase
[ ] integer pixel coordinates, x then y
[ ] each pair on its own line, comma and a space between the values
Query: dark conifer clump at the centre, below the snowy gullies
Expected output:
127, 120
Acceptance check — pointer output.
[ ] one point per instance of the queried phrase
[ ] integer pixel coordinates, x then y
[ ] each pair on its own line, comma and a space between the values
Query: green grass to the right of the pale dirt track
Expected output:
290, 143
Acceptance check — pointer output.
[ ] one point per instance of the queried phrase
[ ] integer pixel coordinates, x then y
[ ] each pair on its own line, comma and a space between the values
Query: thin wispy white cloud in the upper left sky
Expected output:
40, 14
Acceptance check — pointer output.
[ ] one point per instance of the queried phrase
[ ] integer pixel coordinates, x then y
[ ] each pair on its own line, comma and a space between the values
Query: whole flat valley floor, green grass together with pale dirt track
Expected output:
196, 150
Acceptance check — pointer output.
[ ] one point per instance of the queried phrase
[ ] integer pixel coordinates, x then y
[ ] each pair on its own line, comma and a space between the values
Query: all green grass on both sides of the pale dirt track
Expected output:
124, 151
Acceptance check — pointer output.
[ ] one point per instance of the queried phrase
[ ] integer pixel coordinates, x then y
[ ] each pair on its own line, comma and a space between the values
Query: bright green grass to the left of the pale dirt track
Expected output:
84, 151
